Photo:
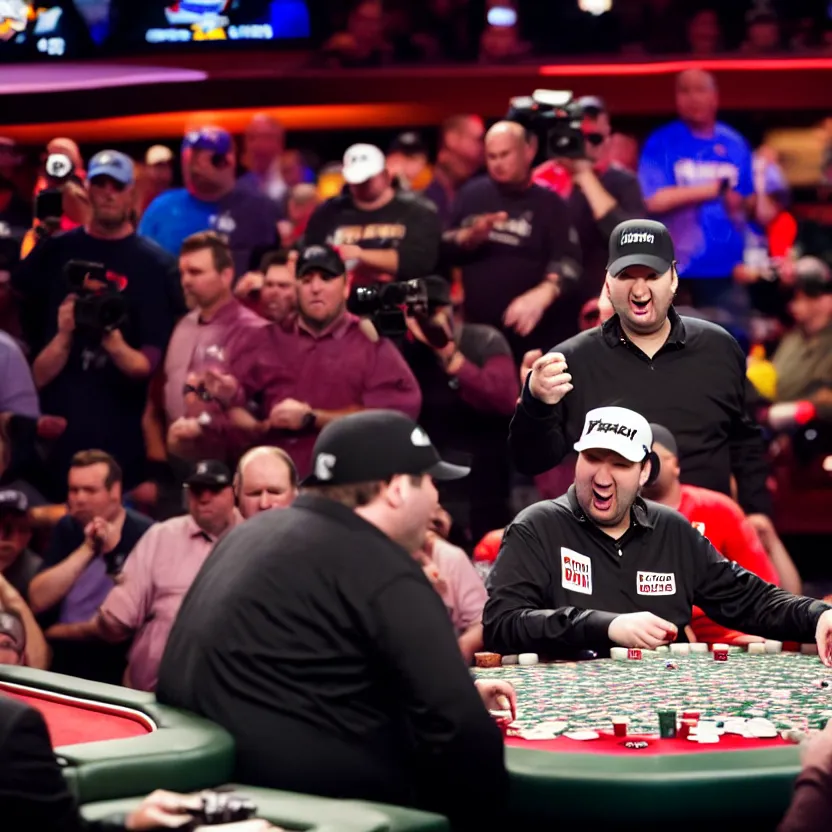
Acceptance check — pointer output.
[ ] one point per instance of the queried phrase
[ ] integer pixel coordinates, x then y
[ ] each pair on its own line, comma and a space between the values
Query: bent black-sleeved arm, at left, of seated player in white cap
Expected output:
518, 618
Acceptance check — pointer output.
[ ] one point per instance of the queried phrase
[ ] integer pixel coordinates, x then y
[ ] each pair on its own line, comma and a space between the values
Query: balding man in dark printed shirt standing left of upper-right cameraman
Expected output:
515, 244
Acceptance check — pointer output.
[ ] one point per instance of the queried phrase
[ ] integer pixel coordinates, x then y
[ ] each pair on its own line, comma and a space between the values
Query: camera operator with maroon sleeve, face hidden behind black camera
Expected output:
469, 388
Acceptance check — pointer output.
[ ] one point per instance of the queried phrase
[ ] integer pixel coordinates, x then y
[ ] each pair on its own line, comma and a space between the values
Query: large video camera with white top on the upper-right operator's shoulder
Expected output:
555, 118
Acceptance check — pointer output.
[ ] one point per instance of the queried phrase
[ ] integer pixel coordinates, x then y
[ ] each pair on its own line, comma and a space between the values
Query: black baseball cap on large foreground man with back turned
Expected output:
373, 446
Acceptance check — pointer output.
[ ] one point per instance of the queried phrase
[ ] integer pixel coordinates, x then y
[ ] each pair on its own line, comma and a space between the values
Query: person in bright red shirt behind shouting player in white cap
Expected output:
725, 525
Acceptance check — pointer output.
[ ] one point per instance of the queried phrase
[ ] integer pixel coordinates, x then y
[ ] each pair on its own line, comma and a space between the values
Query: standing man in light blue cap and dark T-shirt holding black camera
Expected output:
101, 303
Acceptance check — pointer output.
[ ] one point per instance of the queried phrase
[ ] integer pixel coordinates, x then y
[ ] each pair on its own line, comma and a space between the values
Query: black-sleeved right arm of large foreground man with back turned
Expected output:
458, 747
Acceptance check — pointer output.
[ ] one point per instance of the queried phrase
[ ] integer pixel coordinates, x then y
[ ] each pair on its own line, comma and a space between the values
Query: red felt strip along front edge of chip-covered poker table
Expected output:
607, 743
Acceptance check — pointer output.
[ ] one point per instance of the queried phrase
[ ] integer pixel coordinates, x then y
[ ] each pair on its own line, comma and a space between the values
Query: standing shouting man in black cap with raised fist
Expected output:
684, 373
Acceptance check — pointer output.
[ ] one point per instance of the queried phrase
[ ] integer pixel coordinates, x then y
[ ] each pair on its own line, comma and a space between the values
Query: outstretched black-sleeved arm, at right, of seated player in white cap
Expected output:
735, 598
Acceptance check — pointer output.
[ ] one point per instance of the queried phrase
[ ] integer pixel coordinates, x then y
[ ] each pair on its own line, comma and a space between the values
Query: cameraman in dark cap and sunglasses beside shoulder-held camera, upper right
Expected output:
600, 194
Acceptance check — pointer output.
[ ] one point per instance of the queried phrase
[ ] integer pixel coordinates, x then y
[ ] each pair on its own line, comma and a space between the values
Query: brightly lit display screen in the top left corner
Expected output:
73, 29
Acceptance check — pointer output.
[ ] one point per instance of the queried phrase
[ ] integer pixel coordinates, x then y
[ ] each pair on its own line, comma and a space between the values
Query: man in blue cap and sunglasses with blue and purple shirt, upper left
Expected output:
212, 200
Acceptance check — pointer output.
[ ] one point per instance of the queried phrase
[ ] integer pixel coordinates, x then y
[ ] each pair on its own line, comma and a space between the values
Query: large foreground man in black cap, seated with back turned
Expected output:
314, 637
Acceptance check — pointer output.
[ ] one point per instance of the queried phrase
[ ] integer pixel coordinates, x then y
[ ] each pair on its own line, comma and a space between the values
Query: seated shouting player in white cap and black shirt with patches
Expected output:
600, 566
